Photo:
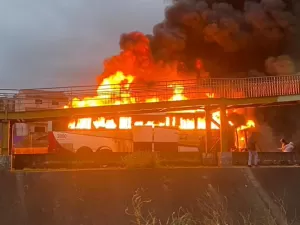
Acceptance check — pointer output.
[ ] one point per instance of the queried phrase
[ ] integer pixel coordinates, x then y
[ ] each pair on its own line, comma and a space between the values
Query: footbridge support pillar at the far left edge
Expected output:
5, 157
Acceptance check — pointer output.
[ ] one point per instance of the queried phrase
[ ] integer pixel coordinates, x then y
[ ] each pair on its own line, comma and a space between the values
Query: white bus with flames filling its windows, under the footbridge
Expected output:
173, 132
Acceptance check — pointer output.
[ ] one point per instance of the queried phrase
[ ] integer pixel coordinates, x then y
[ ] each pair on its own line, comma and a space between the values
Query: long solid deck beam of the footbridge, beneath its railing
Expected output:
141, 108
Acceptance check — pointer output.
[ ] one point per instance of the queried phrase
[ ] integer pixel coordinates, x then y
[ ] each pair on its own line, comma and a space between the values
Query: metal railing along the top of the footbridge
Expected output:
57, 98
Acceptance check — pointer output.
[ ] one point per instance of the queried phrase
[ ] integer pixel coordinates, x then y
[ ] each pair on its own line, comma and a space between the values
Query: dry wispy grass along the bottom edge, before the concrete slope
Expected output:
213, 211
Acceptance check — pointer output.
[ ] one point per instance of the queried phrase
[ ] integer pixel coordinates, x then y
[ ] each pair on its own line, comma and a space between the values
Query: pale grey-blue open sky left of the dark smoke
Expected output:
47, 43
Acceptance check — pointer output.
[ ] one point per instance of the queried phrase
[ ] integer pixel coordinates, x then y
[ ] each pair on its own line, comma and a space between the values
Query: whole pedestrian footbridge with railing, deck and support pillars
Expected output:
211, 93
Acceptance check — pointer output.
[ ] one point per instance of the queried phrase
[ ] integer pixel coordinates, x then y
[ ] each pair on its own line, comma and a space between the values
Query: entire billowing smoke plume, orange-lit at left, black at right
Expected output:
209, 38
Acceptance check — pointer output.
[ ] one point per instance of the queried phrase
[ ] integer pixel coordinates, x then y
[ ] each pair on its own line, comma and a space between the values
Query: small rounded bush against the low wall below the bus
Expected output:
141, 160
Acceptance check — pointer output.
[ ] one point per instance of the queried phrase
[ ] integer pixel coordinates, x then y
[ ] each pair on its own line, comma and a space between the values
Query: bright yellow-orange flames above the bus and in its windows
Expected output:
115, 90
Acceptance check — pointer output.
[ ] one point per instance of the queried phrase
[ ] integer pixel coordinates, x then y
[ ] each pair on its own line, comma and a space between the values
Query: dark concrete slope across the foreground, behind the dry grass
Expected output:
101, 196
